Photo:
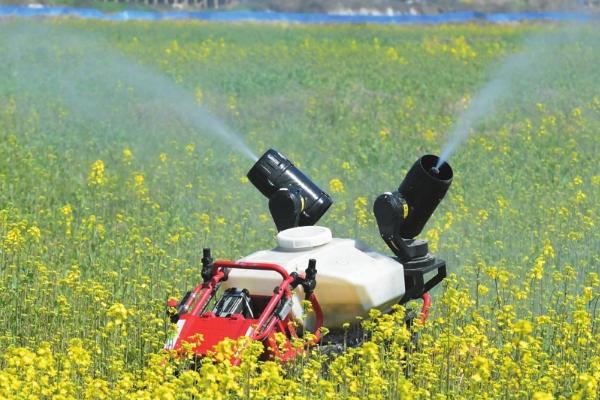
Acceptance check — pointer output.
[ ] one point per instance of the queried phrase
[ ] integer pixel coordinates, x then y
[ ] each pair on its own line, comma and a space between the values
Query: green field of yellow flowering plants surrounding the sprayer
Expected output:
109, 190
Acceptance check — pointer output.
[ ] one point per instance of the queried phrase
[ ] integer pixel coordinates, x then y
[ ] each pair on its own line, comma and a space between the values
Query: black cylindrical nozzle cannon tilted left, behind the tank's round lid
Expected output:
294, 200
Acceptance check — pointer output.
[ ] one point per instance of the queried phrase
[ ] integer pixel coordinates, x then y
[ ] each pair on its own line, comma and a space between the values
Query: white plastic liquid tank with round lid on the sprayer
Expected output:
351, 277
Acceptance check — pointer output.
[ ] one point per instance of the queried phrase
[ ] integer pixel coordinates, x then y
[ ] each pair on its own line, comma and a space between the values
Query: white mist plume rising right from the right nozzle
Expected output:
532, 71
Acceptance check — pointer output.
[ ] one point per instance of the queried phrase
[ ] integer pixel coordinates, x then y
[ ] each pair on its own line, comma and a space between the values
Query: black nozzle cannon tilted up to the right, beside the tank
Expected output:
402, 214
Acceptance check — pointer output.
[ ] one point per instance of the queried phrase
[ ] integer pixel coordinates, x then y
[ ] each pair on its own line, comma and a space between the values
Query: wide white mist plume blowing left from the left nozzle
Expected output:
97, 83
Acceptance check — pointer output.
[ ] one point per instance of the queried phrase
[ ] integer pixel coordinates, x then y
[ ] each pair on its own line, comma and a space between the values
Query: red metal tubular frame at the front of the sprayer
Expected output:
264, 328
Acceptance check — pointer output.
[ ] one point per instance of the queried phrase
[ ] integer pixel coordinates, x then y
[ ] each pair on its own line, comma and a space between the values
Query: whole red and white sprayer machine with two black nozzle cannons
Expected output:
261, 295
